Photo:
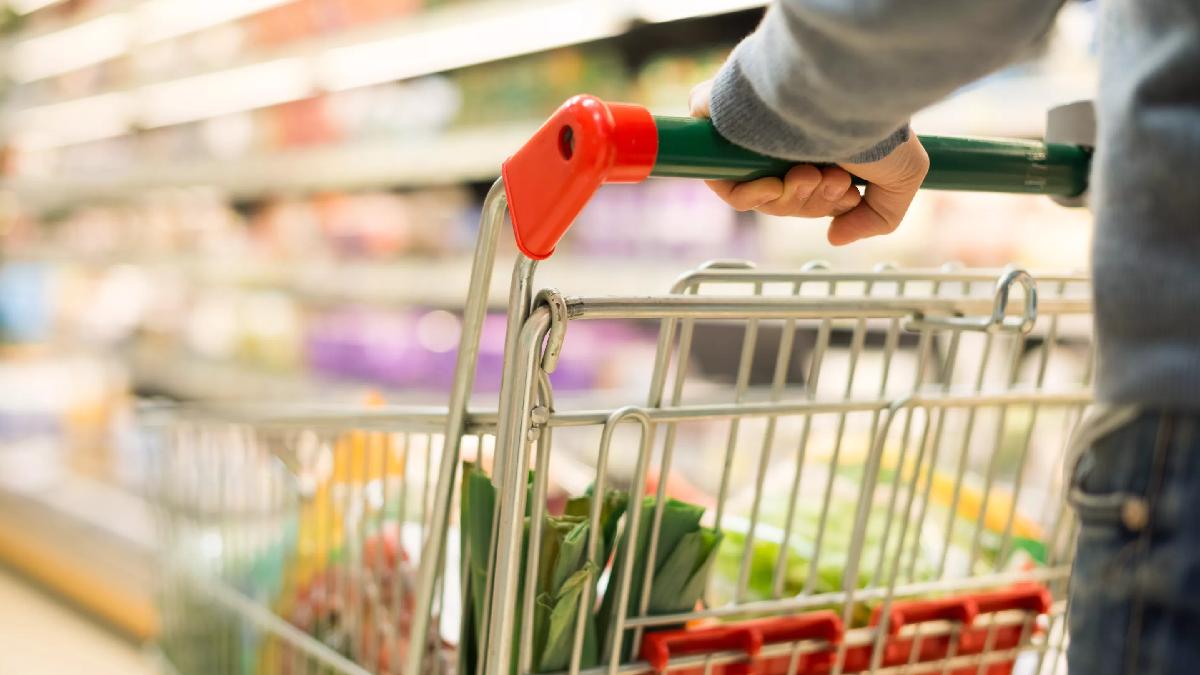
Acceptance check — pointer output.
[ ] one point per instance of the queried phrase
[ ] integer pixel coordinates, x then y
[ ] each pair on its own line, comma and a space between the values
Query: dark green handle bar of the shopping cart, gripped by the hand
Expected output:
692, 148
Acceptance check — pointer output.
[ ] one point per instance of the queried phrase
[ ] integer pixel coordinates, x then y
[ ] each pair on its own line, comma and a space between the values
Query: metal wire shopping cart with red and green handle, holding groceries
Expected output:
873, 486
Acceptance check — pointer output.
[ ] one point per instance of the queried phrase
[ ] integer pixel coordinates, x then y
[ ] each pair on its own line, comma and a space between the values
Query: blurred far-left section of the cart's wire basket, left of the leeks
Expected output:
291, 545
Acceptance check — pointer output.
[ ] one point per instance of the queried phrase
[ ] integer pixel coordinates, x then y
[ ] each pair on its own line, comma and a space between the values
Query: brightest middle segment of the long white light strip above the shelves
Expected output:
457, 45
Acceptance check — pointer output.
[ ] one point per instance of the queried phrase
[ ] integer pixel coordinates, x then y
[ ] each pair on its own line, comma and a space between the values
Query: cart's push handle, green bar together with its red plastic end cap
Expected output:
587, 144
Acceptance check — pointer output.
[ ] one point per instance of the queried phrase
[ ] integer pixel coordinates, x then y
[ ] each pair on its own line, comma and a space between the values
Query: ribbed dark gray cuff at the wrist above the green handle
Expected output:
741, 116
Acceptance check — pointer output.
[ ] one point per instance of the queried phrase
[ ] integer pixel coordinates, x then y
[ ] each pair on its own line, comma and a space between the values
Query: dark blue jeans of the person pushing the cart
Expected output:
1136, 588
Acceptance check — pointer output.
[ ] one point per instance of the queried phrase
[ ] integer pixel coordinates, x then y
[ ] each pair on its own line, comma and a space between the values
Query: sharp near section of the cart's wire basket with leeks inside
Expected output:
872, 483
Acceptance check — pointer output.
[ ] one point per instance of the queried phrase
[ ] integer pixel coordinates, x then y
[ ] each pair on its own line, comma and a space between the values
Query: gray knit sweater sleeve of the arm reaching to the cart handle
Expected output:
838, 80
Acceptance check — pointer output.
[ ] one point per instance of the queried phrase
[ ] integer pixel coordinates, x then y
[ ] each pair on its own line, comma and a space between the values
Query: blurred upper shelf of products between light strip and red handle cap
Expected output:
439, 129
